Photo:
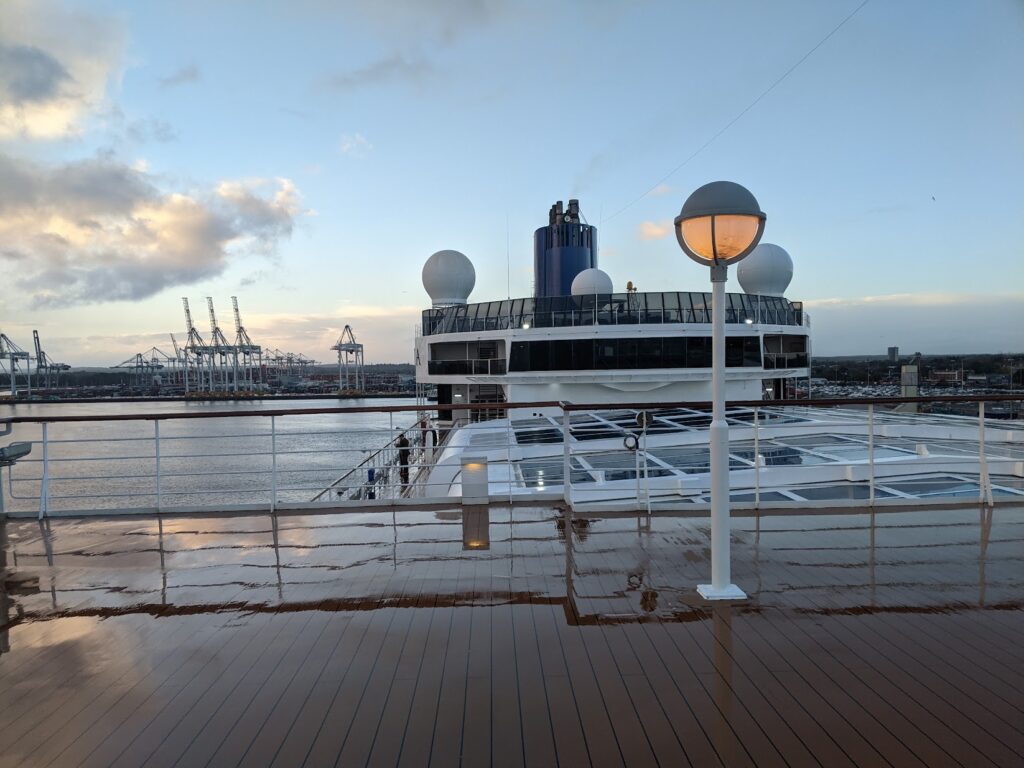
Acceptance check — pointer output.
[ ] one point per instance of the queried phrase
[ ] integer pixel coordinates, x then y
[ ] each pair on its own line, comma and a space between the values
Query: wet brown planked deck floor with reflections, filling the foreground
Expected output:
893, 639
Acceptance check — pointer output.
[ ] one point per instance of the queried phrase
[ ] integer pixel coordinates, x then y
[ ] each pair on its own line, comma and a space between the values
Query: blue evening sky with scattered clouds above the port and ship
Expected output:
309, 157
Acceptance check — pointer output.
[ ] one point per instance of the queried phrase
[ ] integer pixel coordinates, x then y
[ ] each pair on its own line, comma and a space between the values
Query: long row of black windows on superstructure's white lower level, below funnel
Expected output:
618, 355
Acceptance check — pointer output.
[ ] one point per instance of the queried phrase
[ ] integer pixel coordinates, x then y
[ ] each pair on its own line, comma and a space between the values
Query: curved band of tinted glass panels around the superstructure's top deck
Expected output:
609, 310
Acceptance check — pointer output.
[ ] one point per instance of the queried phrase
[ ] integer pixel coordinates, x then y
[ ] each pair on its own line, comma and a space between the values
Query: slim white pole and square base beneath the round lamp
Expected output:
721, 587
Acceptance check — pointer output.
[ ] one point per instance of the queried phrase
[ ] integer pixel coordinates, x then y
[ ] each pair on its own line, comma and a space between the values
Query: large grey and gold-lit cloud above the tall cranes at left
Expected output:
98, 230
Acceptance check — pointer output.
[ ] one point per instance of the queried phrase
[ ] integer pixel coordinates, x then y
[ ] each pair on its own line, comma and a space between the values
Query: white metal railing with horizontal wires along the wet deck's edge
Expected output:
336, 458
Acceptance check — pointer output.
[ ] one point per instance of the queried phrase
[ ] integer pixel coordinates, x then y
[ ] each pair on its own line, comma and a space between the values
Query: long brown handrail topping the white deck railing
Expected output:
814, 403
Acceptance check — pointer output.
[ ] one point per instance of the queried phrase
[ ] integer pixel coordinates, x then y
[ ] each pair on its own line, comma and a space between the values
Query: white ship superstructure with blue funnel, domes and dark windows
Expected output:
578, 340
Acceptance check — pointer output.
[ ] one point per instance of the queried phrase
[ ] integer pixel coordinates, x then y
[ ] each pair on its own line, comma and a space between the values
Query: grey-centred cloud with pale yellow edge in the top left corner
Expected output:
55, 68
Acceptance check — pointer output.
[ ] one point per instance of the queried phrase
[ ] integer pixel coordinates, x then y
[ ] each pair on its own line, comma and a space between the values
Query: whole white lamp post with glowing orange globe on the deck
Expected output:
720, 225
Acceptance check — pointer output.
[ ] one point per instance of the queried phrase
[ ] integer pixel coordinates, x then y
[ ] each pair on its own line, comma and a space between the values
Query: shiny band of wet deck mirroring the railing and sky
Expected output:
601, 570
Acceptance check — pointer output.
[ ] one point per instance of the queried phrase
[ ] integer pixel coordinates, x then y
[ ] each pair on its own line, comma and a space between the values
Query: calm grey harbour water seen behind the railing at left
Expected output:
202, 461
